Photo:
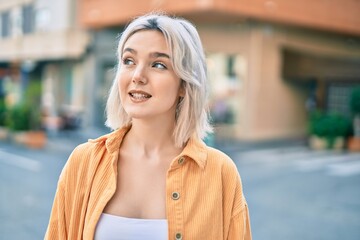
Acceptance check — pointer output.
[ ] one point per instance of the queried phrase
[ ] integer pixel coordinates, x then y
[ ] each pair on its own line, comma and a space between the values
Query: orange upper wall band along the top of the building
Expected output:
337, 15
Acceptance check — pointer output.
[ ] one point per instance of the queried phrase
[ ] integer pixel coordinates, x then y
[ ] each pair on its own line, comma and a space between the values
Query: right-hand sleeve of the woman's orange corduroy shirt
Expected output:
240, 226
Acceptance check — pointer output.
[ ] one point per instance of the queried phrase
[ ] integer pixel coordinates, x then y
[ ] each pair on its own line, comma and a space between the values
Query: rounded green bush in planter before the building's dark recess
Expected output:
329, 126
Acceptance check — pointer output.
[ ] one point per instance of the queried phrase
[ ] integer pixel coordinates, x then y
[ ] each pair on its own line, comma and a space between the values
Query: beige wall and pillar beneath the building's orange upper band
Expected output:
270, 106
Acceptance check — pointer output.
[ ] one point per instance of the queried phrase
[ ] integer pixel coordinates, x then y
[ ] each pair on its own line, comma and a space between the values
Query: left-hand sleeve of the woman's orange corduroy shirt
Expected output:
57, 223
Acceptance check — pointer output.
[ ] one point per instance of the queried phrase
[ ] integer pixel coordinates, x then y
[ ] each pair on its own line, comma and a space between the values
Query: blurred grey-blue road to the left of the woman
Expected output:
28, 181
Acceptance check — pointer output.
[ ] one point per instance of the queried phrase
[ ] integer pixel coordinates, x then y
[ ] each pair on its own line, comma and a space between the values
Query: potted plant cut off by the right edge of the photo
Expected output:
354, 141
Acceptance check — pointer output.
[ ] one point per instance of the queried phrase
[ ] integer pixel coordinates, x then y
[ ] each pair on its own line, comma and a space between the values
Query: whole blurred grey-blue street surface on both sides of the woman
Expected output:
292, 192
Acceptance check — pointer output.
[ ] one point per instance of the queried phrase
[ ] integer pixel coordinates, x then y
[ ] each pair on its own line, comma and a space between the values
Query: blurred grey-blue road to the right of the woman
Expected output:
294, 193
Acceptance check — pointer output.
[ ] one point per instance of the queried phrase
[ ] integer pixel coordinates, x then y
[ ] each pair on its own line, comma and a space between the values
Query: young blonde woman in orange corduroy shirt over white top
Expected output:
152, 177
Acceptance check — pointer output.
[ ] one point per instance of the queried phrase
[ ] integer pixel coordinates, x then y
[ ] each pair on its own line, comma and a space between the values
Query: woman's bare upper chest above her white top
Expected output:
140, 191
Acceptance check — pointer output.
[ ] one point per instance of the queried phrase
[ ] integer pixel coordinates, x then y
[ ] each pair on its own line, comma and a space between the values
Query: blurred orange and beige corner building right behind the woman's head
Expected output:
269, 61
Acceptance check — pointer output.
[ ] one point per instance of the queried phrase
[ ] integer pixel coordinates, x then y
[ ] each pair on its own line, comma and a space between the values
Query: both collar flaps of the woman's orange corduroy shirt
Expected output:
195, 149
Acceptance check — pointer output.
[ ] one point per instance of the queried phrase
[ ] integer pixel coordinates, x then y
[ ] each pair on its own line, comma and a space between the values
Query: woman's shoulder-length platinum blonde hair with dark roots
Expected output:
188, 60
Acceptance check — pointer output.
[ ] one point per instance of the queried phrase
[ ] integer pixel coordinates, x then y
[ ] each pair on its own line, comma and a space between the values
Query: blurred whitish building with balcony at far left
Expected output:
41, 42
